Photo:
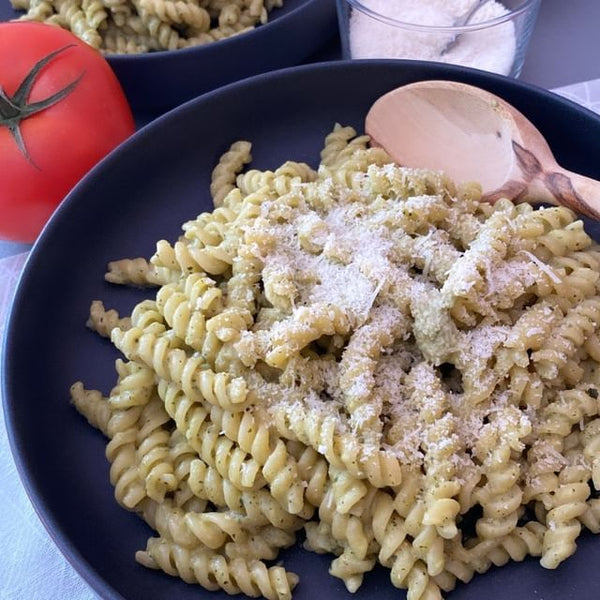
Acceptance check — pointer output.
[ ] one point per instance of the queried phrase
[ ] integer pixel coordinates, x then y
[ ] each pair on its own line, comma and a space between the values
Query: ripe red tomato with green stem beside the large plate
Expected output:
46, 148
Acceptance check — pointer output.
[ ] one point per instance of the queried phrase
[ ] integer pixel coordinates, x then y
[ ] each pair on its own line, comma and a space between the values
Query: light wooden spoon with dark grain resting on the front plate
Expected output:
472, 135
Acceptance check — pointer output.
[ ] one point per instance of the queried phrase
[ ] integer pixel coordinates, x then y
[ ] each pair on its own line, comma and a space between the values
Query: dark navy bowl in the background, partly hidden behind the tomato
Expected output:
157, 81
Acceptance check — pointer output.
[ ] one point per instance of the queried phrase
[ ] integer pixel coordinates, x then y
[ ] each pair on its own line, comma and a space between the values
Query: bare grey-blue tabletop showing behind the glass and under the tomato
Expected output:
564, 49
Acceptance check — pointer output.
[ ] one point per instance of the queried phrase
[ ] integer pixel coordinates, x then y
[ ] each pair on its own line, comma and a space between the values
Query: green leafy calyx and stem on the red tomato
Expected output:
14, 109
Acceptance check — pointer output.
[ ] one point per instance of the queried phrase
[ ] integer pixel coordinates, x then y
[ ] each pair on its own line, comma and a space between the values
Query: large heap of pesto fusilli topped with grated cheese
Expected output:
364, 357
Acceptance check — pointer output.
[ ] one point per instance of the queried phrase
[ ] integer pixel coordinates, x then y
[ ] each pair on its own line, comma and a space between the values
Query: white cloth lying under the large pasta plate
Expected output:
31, 567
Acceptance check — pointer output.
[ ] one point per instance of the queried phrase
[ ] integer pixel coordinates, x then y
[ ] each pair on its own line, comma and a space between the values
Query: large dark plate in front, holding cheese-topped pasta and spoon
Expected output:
143, 192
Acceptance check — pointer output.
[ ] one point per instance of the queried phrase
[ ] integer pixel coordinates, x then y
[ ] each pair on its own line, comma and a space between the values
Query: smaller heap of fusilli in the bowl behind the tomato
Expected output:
137, 26
